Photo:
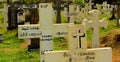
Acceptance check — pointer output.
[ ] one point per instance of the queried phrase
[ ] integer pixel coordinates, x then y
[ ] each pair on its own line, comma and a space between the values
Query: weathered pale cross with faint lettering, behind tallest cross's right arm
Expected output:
75, 13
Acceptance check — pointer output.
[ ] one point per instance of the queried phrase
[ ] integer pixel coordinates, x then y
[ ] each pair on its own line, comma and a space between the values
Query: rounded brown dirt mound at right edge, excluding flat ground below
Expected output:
112, 39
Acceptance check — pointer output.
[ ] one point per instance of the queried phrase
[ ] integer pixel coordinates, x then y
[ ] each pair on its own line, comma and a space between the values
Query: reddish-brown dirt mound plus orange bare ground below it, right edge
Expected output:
112, 39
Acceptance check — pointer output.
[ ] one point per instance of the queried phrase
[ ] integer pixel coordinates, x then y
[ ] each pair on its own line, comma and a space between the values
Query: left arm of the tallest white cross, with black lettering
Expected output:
29, 31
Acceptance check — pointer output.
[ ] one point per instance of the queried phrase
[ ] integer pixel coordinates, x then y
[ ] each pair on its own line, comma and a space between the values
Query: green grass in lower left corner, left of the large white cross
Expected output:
10, 50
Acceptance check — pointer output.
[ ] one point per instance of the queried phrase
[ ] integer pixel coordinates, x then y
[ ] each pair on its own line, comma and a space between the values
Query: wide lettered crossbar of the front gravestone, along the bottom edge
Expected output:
78, 55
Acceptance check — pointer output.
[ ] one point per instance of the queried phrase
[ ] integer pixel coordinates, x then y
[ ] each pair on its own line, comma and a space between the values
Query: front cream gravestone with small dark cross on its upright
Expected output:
77, 52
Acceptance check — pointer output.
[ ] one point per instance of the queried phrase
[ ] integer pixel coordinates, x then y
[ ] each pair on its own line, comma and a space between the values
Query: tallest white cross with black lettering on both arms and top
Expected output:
45, 30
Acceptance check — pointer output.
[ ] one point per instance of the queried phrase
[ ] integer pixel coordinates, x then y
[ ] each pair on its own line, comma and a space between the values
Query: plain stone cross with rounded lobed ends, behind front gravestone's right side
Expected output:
94, 23
